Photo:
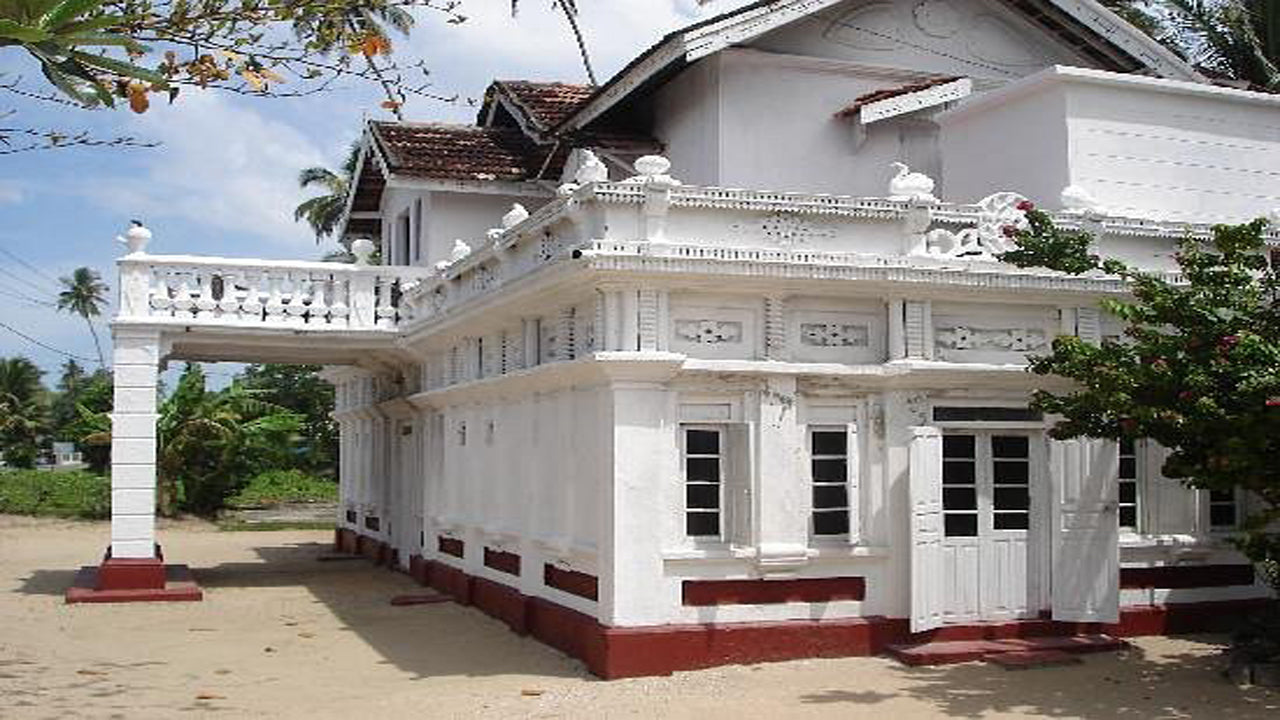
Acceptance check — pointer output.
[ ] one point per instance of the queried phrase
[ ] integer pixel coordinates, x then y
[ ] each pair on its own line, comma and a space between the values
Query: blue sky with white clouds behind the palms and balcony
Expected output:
223, 181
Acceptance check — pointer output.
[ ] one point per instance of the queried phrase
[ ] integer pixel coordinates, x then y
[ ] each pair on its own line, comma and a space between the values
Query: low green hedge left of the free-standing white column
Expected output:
56, 494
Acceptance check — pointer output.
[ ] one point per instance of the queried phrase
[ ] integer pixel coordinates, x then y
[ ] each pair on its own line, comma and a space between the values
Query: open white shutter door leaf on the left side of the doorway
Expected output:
926, 507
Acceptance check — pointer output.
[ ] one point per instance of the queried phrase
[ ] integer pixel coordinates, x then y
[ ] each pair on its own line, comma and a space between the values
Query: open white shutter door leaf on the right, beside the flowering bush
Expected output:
1086, 531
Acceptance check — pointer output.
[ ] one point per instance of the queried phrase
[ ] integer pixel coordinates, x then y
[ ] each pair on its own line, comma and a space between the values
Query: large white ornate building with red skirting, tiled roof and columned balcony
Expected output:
769, 402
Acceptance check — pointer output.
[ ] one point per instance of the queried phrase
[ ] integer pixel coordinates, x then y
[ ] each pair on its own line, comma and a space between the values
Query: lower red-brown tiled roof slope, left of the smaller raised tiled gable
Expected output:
464, 153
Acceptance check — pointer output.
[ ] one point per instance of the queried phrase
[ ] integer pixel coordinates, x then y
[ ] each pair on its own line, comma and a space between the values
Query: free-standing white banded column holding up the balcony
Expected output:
134, 443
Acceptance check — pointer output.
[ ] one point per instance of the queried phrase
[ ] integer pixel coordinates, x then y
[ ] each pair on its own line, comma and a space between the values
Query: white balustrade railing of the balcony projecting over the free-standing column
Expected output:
222, 291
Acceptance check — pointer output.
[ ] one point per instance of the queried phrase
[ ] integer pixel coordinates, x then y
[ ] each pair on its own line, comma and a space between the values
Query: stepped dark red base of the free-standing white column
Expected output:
134, 580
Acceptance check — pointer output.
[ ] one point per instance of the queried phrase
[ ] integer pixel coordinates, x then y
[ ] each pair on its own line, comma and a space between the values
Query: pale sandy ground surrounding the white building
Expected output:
284, 636
